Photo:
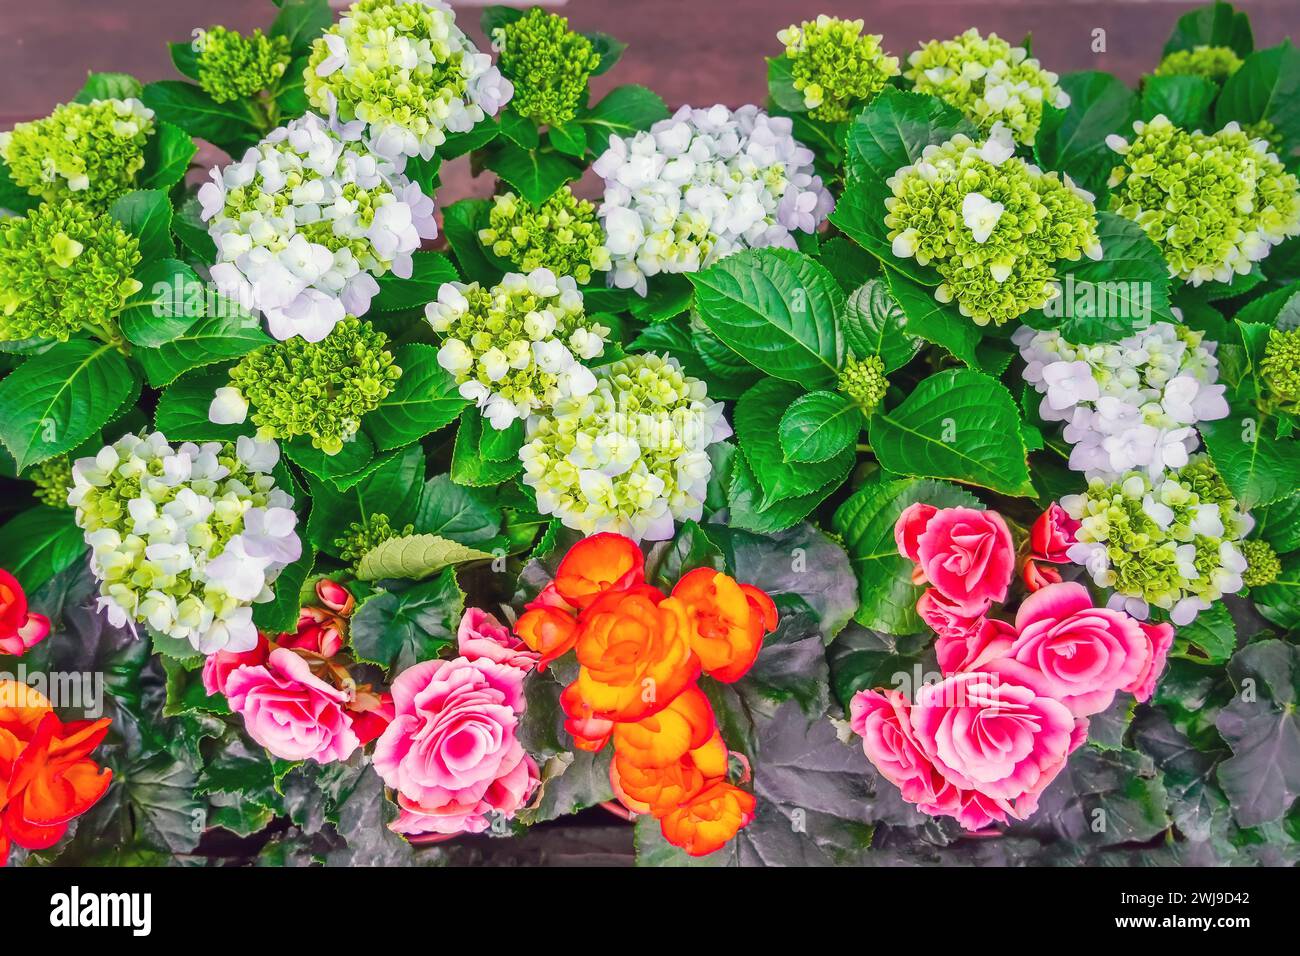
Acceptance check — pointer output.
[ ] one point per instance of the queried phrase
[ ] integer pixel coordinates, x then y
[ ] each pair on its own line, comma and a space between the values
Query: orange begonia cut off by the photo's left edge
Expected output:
46, 776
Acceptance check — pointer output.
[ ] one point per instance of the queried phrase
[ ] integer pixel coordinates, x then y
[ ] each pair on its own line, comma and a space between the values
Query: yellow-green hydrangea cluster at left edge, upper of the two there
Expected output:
86, 152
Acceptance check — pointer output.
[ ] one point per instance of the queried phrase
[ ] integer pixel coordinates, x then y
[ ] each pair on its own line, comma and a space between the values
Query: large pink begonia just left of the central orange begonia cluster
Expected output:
452, 754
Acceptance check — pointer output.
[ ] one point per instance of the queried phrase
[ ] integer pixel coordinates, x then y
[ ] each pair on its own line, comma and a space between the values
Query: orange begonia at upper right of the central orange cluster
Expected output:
727, 622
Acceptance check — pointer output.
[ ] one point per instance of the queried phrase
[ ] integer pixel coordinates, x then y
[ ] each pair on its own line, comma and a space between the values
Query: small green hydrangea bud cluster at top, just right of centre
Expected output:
837, 67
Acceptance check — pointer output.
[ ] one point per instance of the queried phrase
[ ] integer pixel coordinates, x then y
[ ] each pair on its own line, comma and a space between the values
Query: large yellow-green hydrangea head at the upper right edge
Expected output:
1215, 204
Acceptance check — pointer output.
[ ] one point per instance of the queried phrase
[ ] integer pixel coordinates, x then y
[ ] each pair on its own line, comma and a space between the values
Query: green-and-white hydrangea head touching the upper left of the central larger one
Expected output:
517, 348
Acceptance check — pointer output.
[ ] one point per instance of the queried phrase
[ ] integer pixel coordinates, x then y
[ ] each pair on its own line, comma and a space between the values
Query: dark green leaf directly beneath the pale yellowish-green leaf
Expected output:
398, 629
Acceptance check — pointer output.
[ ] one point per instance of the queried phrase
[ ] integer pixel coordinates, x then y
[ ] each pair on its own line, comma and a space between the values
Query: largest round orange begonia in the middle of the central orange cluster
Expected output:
635, 655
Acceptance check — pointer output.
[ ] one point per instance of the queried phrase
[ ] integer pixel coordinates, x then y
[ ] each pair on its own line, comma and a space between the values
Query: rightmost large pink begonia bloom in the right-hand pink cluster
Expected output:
1084, 654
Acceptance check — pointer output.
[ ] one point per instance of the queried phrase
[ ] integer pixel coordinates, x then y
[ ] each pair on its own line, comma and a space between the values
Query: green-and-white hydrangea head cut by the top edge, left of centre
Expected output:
402, 76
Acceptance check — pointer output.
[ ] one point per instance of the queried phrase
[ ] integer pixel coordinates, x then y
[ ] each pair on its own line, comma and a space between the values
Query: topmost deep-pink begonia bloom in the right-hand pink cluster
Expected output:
964, 553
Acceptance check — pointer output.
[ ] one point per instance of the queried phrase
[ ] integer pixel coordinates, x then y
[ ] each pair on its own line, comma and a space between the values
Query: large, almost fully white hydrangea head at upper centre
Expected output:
703, 185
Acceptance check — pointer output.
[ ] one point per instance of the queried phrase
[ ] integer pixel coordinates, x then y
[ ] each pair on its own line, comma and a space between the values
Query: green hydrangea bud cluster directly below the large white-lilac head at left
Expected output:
319, 390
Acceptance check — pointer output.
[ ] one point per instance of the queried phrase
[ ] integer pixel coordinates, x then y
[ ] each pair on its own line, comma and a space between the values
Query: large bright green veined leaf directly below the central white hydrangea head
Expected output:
778, 310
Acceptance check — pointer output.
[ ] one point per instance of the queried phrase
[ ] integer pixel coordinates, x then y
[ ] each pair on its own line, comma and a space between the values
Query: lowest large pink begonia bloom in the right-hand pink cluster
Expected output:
995, 736
